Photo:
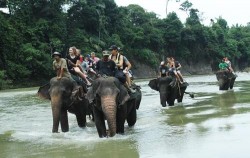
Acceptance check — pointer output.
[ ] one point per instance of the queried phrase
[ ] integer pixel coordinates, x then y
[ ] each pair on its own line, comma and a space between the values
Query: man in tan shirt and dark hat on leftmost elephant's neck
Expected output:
60, 65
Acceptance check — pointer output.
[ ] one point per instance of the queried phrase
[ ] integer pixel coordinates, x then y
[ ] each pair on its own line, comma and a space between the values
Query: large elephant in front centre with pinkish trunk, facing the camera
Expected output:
113, 103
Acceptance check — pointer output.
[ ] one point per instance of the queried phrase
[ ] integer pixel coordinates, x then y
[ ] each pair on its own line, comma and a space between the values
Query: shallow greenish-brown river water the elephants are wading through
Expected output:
213, 124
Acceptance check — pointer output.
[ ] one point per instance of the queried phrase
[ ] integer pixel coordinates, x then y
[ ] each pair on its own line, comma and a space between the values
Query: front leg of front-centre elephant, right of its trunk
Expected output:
120, 118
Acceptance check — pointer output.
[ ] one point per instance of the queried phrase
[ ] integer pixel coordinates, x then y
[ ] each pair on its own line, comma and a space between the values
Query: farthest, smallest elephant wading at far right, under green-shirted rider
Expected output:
226, 79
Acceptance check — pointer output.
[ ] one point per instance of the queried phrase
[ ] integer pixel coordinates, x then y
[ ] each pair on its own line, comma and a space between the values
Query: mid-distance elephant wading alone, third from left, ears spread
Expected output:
169, 88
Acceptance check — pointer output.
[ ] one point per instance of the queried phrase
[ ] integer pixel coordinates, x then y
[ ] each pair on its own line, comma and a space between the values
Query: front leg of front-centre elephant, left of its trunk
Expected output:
100, 123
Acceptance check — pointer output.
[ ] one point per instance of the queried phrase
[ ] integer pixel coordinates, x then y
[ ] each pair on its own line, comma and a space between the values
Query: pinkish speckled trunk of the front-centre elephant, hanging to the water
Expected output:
109, 108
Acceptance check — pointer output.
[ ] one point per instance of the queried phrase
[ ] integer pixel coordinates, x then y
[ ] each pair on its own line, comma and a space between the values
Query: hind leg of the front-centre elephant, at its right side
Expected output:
131, 115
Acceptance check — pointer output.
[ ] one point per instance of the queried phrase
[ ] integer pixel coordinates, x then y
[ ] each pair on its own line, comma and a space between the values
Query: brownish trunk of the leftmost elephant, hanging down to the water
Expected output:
56, 105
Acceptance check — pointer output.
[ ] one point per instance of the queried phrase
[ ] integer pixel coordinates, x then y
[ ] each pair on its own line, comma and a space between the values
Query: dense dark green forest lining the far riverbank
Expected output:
33, 29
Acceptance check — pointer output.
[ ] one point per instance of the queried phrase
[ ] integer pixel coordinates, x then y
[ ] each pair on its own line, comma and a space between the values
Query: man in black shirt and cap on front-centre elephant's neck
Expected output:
105, 66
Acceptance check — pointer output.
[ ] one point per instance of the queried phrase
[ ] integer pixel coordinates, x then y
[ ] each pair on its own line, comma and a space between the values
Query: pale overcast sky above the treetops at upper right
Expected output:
233, 11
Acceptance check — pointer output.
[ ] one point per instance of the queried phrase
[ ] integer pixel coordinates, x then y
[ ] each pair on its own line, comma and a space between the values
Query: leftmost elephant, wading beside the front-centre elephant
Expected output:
65, 95
